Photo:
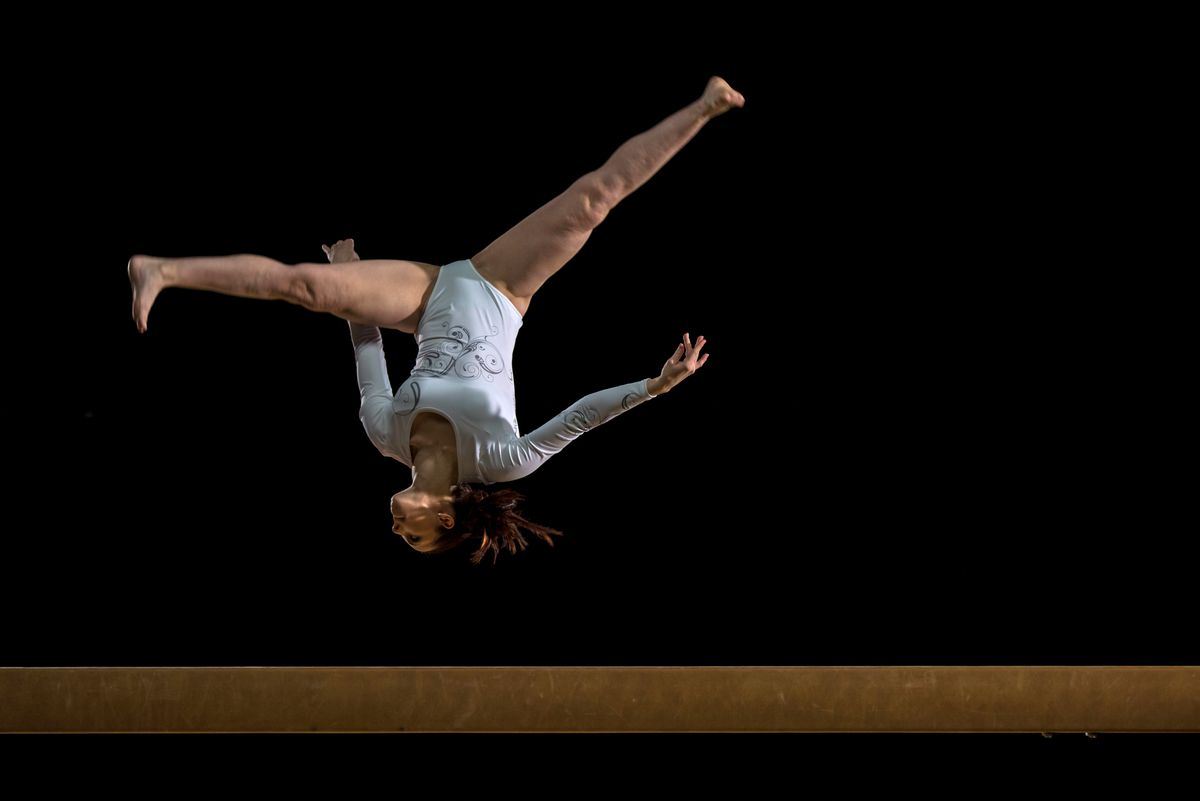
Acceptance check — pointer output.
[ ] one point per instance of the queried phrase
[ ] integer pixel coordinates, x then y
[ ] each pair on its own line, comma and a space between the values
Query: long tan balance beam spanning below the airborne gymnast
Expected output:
602, 700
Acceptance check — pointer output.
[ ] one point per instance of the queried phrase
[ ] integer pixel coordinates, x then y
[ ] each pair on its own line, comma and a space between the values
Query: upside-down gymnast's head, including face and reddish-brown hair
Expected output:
488, 521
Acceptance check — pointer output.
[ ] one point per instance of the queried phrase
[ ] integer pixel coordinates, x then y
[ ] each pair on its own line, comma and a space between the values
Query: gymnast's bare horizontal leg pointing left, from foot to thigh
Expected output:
377, 292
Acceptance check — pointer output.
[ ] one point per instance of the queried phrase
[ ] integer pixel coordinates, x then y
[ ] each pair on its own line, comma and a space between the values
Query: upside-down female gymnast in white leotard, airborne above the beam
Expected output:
454, 420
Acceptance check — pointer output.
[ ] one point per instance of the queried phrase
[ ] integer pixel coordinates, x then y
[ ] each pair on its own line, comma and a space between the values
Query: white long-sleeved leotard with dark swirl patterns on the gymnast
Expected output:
465, 374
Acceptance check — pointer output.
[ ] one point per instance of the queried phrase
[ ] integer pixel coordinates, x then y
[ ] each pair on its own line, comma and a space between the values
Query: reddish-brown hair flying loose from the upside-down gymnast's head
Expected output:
490, 520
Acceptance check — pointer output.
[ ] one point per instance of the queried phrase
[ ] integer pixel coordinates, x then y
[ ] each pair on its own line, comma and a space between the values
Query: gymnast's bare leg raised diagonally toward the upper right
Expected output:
521, 261
